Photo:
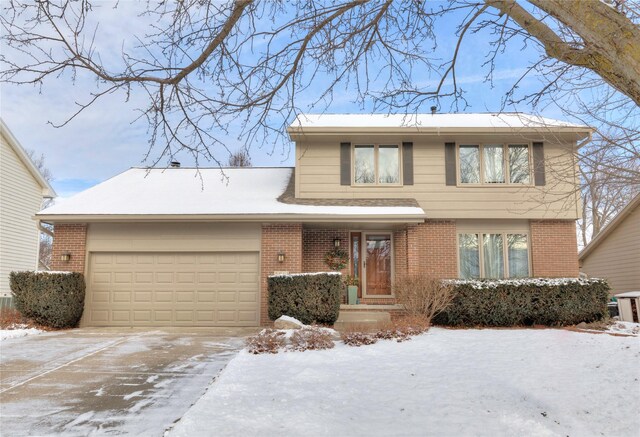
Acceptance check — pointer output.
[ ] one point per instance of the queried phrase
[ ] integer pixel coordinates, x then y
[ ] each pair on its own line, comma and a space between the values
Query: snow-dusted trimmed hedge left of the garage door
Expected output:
50, 299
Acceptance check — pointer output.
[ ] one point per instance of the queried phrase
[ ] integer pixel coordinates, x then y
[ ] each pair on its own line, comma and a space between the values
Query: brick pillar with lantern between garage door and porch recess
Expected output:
286, 238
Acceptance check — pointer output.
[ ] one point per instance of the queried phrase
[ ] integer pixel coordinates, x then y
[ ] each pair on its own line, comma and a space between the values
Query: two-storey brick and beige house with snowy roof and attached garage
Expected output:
450, 195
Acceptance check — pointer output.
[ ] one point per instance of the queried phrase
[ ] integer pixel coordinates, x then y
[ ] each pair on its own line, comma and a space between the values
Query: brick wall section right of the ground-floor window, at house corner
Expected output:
554, 248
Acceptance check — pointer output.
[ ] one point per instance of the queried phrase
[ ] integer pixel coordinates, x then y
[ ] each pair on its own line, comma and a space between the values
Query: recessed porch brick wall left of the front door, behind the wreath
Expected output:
316, 243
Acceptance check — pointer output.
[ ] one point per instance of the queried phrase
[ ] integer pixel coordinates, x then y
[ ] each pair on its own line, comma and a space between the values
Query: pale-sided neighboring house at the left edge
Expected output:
22, 190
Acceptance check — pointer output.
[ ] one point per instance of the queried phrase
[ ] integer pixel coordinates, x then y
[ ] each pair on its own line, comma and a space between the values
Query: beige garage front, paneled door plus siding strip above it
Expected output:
170, 274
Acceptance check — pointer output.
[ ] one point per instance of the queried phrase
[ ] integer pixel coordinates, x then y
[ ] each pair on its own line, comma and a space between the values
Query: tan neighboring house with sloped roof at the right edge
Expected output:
614, 253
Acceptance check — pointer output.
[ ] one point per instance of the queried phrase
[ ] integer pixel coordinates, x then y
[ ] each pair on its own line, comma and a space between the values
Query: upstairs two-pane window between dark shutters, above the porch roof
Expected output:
376, 164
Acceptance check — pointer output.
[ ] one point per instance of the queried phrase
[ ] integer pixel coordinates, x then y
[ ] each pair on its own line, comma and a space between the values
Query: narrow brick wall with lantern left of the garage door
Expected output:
69, 238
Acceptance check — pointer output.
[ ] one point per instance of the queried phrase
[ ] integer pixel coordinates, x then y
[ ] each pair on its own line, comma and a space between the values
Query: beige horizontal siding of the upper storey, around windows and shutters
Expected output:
318, 176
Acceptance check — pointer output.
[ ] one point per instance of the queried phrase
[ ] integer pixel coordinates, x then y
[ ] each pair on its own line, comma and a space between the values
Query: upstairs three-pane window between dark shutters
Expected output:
494, 164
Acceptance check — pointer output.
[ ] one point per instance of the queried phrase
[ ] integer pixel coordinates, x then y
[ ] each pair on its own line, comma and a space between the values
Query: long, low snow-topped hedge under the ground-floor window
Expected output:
518, 302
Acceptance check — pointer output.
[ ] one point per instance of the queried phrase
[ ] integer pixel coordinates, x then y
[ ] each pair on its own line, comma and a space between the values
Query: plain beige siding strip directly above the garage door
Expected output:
173, 237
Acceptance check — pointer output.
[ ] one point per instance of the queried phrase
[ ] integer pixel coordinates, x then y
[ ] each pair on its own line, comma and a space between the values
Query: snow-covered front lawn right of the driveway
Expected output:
443, 383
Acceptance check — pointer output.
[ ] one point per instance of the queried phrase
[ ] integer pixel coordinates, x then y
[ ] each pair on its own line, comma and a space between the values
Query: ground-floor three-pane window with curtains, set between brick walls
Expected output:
493, 255
